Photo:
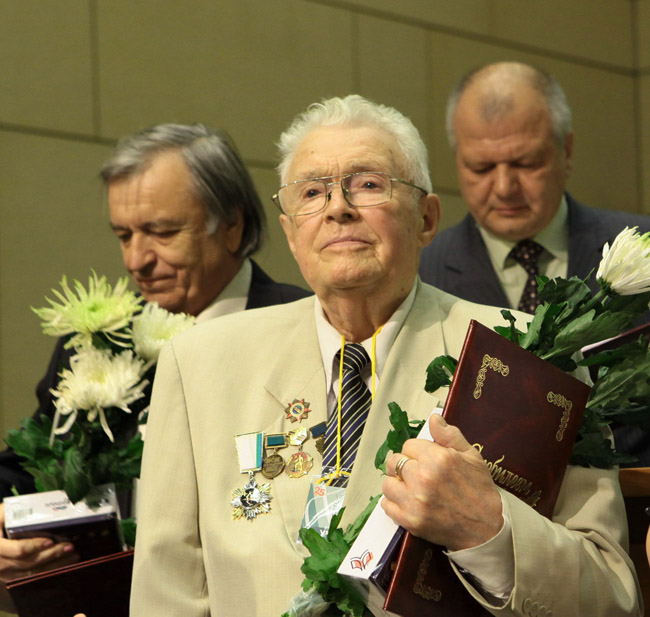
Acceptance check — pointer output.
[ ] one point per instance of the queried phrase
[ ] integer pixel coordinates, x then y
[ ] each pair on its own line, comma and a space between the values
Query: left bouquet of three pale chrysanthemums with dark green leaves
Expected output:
103, 395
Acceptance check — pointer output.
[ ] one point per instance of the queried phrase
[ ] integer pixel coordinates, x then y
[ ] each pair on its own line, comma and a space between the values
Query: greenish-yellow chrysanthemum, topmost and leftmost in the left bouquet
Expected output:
98, 309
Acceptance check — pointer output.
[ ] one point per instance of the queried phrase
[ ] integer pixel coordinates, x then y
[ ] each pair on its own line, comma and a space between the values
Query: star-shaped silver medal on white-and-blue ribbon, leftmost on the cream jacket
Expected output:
253, 499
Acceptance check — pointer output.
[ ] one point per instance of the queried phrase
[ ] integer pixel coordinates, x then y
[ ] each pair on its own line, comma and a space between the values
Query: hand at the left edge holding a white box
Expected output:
24, 557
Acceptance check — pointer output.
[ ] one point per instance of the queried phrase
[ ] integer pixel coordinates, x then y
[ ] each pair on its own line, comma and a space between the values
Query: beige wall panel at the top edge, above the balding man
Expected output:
597, 30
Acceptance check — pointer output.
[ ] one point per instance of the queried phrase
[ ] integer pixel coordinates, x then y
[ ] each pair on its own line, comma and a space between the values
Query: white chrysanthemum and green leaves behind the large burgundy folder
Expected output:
569, 318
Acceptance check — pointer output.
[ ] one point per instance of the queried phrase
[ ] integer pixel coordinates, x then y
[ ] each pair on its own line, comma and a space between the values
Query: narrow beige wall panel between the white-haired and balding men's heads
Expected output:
393, 68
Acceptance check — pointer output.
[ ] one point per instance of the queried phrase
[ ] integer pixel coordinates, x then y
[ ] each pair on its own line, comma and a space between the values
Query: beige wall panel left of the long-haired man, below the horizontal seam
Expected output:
53, 223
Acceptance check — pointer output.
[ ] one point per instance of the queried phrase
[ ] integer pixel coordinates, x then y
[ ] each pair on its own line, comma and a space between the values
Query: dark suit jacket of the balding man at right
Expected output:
457, 262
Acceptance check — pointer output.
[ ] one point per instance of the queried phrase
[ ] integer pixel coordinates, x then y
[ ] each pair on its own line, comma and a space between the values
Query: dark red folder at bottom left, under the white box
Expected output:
98, 587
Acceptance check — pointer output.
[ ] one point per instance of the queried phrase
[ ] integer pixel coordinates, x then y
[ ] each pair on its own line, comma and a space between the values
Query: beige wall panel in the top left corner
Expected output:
46, 64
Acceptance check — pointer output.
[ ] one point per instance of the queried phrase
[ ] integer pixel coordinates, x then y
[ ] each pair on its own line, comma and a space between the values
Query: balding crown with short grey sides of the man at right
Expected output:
495, 91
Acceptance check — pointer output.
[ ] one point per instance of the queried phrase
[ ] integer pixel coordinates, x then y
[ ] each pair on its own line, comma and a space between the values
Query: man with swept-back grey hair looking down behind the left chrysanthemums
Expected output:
188, 219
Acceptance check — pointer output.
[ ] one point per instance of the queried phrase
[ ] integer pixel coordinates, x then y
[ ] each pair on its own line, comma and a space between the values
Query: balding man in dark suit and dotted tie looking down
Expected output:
510, 128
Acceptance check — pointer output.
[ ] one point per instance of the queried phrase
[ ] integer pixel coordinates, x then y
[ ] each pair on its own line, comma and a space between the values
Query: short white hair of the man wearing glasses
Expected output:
354, 110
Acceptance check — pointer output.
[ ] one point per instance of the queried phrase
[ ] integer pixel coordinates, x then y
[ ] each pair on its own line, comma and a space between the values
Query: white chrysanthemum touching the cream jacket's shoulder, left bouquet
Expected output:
153, 327
